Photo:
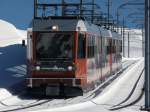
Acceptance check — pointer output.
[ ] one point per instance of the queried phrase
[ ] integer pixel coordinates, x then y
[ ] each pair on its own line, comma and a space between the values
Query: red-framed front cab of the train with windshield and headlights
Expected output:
57, 53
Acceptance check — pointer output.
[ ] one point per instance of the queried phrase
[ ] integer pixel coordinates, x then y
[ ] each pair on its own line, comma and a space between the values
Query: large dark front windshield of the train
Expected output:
53, 46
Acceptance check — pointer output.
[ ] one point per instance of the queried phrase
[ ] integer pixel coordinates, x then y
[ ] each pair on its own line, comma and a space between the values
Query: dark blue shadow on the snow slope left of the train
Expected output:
12, 65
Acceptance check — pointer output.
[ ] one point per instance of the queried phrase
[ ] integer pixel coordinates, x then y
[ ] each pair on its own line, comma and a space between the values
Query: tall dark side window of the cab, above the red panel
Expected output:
81, 46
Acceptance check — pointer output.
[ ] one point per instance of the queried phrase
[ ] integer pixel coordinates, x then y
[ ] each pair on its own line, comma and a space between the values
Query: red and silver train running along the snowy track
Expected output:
66, 54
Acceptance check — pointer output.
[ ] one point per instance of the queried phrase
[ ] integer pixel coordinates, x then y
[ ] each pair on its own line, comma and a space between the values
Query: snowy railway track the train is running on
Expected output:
85, 97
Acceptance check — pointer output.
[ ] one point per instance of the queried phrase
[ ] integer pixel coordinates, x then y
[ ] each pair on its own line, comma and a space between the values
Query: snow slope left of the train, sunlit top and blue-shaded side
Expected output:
12, 57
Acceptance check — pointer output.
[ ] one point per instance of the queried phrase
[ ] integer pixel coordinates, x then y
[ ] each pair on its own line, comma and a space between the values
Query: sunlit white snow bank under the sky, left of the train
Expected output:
9, 34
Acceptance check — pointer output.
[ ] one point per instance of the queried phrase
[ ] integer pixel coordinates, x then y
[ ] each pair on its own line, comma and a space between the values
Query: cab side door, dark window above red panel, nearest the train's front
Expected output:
81, 58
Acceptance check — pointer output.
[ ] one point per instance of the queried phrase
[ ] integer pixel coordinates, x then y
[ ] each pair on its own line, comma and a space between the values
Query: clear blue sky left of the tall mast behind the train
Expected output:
18, 12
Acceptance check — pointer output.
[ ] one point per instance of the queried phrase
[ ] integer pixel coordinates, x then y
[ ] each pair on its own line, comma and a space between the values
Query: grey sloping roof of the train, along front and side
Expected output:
72, 24
